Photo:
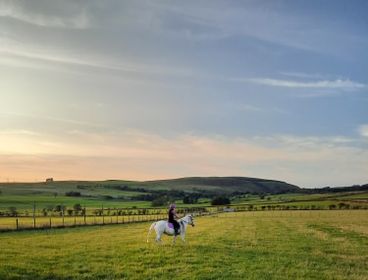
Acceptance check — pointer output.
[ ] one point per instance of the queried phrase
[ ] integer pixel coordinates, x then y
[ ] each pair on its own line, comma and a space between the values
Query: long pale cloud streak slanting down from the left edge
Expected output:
17, 54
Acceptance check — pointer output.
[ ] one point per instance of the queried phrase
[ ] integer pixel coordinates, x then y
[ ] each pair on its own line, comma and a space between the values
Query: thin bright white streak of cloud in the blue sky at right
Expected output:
344, 85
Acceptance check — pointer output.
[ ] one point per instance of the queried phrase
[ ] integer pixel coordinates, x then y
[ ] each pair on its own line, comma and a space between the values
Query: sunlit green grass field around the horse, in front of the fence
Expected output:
247, 245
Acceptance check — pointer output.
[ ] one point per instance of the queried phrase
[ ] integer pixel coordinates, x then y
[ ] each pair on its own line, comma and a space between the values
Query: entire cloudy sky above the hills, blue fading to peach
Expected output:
143, 90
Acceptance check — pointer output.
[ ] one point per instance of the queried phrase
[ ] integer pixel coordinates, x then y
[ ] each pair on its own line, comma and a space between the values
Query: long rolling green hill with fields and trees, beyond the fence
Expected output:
119, 193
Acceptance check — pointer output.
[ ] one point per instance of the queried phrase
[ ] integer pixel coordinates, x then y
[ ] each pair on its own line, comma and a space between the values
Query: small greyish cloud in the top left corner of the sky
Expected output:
12, 9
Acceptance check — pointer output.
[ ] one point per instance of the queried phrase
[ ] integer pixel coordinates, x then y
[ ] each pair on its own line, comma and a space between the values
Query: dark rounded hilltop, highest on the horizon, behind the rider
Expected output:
223, 185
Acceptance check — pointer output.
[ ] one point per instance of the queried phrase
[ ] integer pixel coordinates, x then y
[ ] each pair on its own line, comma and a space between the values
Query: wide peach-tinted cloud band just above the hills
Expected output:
132, 154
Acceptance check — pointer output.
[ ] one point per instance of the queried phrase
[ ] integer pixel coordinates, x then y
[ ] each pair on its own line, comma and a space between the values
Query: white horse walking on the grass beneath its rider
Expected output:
162, 227
